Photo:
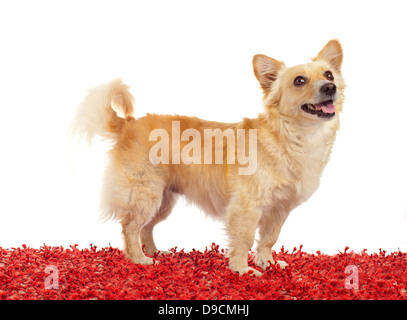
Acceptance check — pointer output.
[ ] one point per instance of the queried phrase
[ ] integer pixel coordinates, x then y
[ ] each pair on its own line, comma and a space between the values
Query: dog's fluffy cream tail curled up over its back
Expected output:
96, 116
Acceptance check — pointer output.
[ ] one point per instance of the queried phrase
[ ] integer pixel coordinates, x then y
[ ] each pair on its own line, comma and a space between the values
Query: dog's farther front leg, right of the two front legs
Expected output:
269, 229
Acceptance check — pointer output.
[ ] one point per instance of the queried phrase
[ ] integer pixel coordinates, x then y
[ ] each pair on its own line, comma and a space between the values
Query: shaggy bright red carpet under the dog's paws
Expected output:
59, 273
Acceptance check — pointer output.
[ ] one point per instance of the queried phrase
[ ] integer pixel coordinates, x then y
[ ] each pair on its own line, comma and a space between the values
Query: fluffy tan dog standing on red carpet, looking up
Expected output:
156, 158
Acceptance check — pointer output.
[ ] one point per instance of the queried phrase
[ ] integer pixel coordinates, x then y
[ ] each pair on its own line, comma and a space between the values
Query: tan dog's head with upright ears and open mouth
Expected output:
312, 91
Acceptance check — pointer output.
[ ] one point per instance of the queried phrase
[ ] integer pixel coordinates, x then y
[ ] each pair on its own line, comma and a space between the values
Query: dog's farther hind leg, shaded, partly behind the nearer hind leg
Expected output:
146, 236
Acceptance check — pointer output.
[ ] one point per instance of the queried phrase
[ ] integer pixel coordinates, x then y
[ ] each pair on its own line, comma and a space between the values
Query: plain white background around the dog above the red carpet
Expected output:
194, 58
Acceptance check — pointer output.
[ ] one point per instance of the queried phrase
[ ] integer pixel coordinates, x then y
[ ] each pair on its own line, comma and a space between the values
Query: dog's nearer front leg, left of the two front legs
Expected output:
242, 220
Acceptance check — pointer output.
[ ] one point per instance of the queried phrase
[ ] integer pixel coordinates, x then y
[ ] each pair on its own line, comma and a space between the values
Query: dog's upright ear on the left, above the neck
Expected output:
266, 70
